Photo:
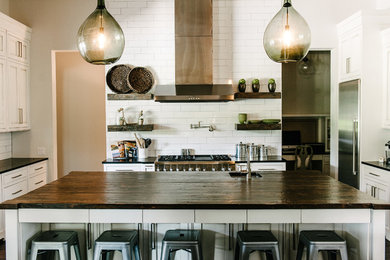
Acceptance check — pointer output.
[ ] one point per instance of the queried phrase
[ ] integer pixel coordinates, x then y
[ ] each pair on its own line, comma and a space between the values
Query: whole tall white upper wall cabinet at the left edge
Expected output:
14, 75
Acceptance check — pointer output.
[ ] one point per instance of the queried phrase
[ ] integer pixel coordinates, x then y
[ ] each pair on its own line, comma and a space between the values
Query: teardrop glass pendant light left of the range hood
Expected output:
100, 39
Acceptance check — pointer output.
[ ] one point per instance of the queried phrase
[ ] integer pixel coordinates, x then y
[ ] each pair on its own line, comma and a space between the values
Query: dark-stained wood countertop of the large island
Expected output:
197, 190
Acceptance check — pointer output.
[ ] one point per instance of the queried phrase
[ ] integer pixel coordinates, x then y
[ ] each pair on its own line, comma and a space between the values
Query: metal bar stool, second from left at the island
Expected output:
117, 240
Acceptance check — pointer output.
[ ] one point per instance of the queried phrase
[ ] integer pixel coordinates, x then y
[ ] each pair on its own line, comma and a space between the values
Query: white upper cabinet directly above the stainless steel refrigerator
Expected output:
350, 47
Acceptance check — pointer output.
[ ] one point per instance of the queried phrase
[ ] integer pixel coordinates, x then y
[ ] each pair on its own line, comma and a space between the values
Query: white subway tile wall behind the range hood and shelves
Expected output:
238, 27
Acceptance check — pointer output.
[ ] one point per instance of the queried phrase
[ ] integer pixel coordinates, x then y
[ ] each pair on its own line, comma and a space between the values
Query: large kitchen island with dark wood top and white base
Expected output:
283, 202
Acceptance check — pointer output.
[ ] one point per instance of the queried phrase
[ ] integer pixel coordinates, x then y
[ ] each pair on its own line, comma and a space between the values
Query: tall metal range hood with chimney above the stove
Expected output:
194, 56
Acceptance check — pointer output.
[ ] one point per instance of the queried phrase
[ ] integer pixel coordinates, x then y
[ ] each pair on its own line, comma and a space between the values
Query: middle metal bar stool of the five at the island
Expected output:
188, 240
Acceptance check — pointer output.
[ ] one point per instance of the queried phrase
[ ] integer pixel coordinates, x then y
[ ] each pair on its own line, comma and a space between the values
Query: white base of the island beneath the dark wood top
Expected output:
364, 229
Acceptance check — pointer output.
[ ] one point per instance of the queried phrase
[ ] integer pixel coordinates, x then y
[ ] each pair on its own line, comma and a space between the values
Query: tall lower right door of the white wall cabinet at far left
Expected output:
17, 93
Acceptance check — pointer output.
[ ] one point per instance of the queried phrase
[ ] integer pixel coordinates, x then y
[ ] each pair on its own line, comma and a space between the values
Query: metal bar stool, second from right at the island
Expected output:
250, 241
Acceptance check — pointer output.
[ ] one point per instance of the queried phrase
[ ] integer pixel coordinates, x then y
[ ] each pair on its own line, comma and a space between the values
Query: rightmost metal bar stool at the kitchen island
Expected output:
320, 240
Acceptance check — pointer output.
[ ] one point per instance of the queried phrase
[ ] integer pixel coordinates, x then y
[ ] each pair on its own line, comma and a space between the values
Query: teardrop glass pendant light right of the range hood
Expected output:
287, 37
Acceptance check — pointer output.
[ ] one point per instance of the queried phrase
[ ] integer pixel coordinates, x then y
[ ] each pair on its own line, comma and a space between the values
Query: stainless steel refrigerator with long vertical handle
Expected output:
349, 114
